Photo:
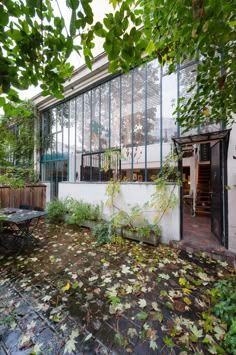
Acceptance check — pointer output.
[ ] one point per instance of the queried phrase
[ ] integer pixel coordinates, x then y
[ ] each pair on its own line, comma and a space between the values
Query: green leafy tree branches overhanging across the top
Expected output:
35, 48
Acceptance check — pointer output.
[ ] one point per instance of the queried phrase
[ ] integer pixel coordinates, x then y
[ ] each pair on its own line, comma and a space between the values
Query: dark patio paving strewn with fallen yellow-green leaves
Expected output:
68, 296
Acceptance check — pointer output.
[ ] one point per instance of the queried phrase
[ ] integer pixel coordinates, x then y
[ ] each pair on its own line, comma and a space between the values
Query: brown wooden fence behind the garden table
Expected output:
33, 196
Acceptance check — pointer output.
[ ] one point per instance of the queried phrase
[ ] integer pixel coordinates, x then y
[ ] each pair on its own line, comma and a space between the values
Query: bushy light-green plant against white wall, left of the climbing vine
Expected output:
80, 211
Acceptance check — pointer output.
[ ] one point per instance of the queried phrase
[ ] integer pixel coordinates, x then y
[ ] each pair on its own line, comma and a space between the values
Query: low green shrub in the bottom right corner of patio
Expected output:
224, 298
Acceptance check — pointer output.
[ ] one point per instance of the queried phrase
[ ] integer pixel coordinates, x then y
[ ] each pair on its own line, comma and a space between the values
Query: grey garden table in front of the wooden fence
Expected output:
19, 223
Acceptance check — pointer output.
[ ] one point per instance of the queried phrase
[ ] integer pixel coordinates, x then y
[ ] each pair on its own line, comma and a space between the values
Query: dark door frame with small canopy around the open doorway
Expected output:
204, 138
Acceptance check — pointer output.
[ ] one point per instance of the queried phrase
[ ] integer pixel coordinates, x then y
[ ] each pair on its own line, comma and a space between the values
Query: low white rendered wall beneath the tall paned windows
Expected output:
129, 195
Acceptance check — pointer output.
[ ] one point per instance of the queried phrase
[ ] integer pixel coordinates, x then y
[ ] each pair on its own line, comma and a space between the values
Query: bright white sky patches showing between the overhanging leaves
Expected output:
99, 7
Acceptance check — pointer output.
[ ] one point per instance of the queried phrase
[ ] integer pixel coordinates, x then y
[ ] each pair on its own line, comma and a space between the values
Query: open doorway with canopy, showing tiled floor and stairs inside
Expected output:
203, 196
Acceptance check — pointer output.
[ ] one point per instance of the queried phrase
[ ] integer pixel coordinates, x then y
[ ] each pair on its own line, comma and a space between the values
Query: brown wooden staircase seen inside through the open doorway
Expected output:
203, 201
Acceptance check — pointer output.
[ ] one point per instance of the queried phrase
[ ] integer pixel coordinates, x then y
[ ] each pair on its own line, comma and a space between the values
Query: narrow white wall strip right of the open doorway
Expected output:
232, 191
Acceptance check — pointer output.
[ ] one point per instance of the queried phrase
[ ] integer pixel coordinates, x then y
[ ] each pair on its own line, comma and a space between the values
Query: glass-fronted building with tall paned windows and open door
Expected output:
123, 127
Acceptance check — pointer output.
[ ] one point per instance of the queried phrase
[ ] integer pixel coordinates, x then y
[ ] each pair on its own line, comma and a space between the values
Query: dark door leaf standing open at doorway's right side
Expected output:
216, 191
